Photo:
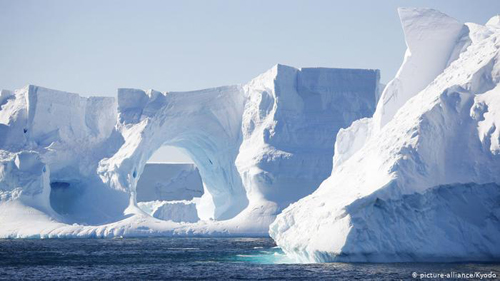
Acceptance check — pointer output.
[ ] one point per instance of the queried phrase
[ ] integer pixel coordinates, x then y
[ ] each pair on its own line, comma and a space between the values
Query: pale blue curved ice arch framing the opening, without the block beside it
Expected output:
206, 124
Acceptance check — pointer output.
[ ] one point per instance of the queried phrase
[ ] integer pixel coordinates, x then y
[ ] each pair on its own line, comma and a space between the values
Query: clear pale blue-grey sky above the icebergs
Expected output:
94, 47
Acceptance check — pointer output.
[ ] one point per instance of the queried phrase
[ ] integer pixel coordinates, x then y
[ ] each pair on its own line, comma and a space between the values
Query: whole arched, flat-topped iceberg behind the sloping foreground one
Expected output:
70, 166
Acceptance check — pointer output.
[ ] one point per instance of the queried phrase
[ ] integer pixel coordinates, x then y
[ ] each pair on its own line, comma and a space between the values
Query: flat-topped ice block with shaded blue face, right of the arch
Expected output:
290, 125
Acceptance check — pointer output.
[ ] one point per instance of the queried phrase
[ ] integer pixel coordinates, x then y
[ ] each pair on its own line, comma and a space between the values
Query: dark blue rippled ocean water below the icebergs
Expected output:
189, 259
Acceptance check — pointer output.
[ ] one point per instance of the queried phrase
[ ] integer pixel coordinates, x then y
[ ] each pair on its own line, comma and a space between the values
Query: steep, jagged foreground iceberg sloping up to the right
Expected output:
420, 181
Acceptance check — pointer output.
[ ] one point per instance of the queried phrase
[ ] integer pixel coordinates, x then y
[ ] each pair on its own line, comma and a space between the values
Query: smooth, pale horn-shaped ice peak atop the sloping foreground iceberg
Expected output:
431, 38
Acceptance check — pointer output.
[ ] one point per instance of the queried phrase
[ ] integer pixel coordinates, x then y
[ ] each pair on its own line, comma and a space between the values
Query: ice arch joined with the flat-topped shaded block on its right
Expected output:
258, 147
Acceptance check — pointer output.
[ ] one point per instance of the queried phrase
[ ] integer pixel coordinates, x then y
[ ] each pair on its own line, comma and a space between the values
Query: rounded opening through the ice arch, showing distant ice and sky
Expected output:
171, 187
